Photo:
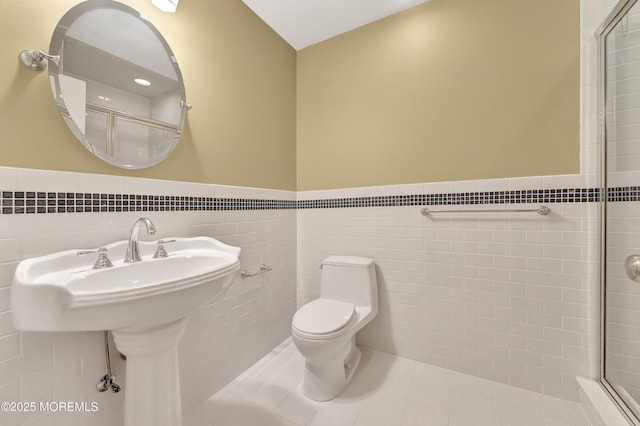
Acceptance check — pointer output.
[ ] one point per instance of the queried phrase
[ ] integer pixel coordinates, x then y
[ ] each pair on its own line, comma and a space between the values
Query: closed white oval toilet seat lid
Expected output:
323, 318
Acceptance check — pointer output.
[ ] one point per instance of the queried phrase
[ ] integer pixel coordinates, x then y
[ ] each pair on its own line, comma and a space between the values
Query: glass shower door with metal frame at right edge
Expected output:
619, 41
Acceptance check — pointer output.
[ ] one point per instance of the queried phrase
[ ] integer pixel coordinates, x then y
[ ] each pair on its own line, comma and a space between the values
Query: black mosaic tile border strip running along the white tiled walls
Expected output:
21, 202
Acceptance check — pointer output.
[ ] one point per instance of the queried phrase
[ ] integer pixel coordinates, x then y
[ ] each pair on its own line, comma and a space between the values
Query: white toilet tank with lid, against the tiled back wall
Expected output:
350, 279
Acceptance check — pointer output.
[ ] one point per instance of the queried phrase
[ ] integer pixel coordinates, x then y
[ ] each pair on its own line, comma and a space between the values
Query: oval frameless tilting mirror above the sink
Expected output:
117, 84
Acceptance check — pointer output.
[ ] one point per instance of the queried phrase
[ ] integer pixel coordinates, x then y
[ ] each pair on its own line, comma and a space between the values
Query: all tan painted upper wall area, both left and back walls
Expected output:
449, 90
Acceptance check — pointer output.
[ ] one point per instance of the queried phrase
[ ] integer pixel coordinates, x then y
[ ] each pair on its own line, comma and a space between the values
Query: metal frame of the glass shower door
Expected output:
612, 20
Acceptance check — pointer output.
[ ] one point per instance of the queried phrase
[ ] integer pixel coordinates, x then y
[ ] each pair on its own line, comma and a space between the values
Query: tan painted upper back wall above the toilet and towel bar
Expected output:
448, 90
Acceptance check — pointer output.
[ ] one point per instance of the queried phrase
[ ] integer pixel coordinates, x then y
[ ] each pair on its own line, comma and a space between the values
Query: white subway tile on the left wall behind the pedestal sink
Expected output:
223, 338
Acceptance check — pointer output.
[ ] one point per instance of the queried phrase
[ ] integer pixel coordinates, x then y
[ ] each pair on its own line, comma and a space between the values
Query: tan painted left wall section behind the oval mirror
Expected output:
239, 77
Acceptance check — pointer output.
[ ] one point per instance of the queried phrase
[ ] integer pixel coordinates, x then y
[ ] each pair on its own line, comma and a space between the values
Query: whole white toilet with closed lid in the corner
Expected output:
324, 330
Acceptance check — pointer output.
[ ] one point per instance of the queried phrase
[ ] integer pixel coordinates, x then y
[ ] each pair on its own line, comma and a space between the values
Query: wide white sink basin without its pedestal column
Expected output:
61, 291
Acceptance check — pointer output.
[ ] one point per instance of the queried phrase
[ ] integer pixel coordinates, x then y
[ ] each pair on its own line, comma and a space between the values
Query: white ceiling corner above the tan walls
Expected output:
305, 22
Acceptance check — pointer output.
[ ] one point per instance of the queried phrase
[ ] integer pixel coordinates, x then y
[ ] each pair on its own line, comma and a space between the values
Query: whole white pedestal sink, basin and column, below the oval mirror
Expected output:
144, 304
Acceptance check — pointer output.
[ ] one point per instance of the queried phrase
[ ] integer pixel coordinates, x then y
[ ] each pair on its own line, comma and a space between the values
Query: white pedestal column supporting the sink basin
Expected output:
152, 388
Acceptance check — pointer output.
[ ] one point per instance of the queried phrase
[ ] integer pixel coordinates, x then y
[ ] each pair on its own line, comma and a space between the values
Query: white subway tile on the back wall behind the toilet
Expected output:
510, 297
